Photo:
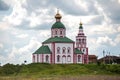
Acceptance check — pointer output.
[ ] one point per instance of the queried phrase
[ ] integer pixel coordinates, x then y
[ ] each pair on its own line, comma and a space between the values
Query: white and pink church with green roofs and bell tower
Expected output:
59, 49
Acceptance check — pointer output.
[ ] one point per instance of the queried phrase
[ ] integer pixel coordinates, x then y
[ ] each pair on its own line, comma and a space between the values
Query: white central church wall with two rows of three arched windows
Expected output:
66, 45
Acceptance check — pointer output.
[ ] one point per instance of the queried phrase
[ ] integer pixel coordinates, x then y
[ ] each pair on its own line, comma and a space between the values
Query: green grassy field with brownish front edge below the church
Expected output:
59, 72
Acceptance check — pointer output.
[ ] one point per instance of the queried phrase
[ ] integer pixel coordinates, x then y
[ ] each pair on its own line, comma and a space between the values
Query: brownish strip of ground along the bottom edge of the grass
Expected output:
84, 77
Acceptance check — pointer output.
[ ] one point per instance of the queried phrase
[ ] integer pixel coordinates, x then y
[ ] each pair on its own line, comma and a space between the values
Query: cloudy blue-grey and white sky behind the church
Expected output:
25, 24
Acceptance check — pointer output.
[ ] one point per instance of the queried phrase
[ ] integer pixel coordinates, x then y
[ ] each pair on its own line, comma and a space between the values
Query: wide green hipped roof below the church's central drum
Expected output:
58, 39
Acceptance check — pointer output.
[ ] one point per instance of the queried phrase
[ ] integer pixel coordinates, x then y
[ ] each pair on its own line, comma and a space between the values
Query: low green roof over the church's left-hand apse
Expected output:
43, 50
